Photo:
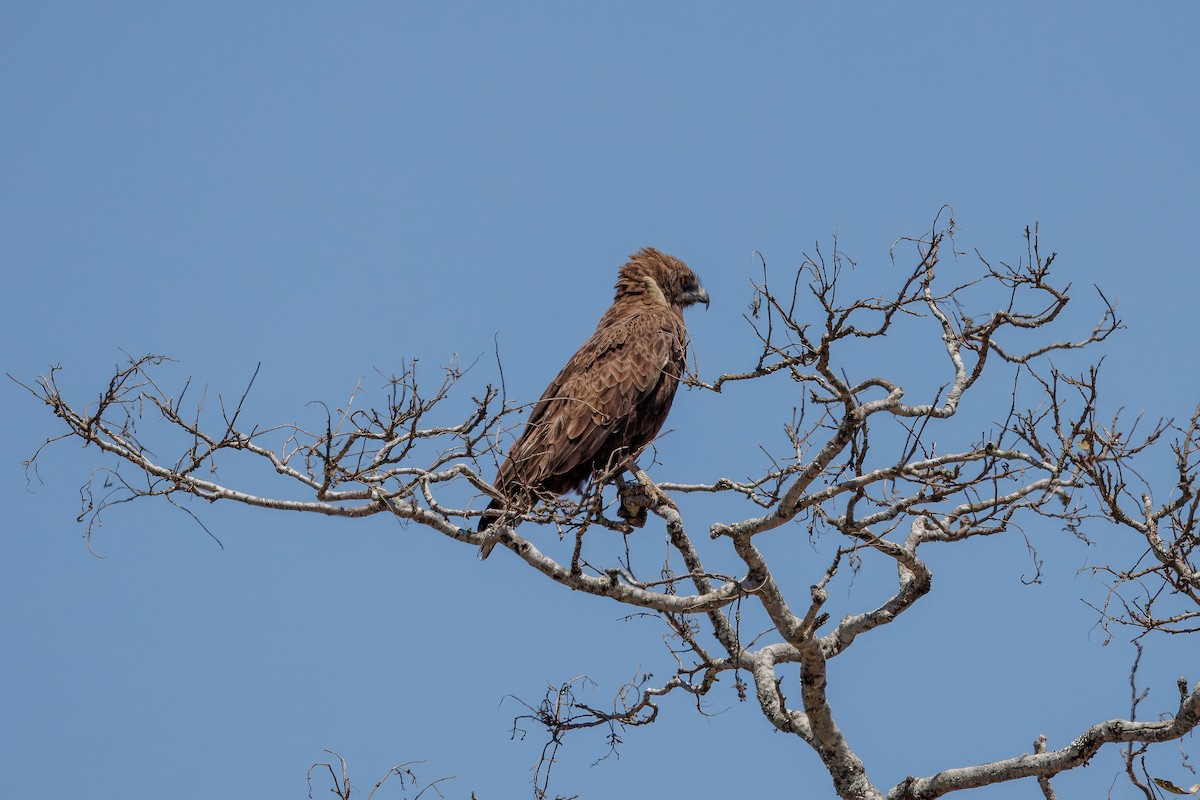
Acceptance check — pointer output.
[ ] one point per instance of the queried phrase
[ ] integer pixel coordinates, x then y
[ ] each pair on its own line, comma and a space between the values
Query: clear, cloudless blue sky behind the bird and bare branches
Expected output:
331, 189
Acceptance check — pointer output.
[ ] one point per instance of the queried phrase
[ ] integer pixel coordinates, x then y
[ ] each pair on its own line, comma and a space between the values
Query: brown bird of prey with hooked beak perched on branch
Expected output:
614, 395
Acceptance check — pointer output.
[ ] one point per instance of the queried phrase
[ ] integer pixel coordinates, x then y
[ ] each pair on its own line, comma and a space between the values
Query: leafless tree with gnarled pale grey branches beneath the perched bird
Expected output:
862, 464
